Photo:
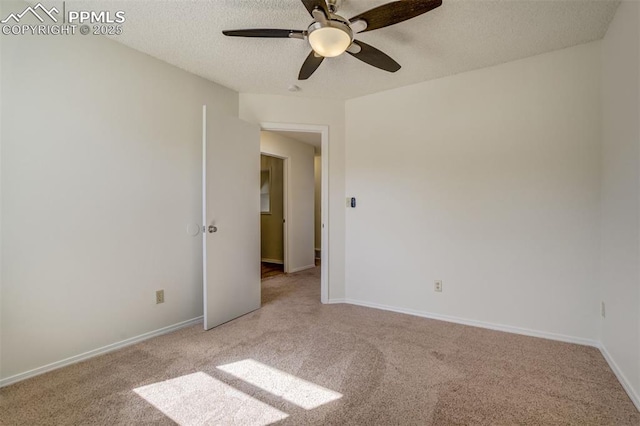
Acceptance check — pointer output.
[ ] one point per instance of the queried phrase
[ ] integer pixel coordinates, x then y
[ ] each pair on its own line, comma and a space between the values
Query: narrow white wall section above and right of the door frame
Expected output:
283, 109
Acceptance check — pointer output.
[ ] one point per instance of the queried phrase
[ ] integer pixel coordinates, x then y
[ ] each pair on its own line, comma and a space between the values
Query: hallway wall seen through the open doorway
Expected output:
299, 213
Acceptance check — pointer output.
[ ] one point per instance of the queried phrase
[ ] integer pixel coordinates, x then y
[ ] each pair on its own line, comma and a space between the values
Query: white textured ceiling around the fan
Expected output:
460, 35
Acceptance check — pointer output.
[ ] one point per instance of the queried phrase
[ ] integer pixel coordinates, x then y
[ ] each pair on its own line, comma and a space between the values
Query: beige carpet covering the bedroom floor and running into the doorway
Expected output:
296, 362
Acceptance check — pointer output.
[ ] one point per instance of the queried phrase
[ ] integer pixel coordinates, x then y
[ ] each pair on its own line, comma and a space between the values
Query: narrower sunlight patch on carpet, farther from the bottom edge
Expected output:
290, 388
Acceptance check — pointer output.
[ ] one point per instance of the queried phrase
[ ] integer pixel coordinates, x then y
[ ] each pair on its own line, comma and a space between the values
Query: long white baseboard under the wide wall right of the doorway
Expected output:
481, 324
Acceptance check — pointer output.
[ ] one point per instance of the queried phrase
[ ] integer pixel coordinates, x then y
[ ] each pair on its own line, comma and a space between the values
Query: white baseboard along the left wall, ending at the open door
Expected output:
100, 351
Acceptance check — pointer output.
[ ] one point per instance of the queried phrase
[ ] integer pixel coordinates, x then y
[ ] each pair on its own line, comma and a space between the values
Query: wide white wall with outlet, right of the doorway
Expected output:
489, 181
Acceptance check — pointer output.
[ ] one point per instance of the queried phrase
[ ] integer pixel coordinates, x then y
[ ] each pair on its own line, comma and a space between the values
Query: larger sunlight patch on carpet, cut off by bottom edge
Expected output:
198, 398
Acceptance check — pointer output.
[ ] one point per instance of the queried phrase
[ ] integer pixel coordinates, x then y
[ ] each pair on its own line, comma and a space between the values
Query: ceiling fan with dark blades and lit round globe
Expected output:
331, 35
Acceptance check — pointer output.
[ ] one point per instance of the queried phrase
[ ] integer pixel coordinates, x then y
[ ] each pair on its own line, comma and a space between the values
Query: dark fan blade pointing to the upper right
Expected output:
394, 12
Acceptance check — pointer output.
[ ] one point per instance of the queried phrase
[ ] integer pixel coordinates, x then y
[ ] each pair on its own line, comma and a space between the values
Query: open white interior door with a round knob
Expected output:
231, 217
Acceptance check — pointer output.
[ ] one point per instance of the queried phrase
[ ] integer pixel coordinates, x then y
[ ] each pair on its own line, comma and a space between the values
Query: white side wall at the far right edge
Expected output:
620, 332
